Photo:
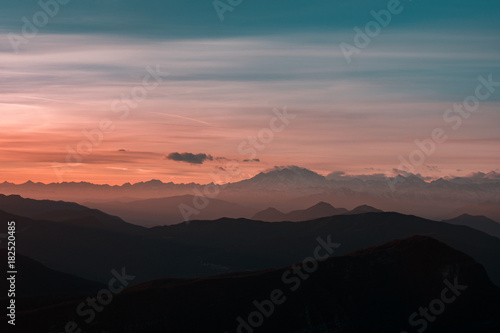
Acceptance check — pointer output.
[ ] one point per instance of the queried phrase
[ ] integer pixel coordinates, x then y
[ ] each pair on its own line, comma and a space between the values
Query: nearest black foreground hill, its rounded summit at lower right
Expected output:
375, 290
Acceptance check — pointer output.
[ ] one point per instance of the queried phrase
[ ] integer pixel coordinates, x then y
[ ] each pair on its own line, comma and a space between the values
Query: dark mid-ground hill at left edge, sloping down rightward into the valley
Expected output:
92, 252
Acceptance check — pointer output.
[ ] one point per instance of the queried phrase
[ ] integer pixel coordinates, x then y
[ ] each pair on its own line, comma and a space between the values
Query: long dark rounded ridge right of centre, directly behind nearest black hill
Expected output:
284, 242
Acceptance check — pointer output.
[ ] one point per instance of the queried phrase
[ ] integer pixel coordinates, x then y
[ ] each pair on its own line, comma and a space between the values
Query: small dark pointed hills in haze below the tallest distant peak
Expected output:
321, 209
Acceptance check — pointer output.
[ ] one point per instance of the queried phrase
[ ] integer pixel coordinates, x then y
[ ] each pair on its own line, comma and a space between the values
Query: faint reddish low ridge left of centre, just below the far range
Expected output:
167, 211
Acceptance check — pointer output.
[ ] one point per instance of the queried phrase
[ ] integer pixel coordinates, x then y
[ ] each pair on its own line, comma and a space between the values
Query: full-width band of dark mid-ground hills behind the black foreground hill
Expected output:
200, 248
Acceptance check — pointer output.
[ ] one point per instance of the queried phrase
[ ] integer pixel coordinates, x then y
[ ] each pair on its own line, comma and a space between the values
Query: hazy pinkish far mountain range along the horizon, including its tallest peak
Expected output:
294, 188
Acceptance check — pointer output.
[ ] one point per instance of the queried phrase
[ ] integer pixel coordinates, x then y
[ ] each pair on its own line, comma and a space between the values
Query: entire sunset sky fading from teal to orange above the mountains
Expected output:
115, 91
